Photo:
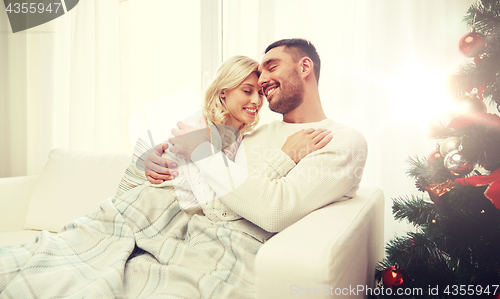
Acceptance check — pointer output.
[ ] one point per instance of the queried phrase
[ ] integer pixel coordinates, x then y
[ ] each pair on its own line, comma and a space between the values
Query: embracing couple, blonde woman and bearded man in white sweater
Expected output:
273, 190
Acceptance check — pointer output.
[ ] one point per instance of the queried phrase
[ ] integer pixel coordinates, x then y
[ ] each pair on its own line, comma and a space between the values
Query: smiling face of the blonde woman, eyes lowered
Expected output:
244, 101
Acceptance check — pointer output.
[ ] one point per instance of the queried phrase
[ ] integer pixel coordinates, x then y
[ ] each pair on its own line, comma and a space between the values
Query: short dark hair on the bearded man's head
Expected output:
299, 48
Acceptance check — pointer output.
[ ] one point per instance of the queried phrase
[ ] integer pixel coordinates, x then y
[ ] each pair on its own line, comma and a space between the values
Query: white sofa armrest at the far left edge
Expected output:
15, 194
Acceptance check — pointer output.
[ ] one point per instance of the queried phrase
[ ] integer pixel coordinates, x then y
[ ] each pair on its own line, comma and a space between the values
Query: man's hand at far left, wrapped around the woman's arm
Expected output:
155, 166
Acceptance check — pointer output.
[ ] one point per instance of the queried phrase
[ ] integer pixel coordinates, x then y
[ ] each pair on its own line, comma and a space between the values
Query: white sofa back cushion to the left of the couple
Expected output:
71, 185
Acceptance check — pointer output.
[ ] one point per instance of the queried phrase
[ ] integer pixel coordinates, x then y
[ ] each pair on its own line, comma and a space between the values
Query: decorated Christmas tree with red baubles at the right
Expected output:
455, 249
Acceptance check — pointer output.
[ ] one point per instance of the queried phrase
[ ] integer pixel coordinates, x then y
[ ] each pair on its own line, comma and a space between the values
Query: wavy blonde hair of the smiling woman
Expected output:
229, 76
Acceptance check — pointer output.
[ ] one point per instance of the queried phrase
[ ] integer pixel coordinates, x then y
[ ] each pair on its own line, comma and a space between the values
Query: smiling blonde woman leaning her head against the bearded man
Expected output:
231, 106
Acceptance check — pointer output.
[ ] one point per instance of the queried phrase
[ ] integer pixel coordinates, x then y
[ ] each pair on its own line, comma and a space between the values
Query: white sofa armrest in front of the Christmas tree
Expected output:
333, 249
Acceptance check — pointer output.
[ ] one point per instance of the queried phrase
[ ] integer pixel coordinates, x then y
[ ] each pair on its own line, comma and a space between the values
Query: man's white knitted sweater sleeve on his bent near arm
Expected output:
276, 193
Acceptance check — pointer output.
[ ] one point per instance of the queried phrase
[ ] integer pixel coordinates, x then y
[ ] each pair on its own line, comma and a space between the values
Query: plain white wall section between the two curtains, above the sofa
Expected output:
165, 48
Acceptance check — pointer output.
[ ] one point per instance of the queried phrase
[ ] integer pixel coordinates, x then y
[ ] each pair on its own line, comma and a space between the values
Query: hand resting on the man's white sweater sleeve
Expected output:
304, 142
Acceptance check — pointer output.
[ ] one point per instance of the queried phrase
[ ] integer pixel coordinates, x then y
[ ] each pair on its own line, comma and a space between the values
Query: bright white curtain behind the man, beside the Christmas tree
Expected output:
383, 71
